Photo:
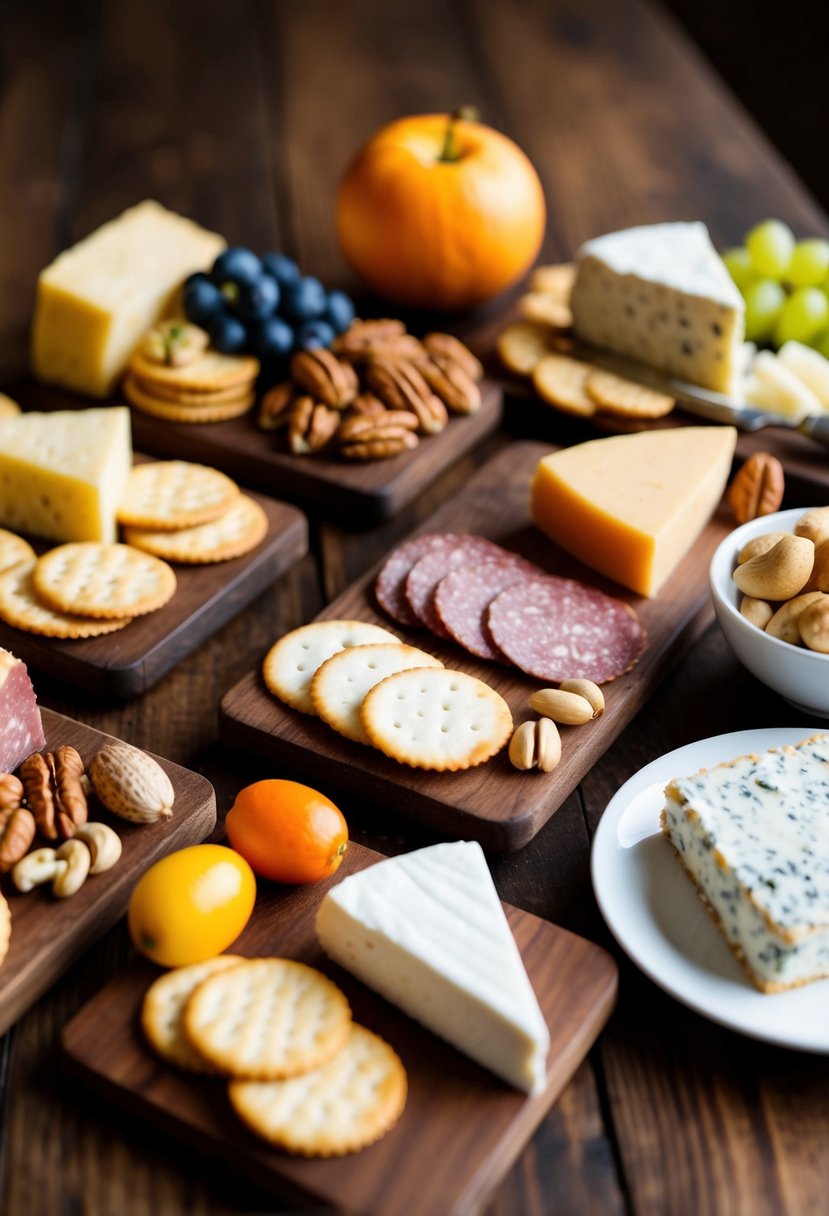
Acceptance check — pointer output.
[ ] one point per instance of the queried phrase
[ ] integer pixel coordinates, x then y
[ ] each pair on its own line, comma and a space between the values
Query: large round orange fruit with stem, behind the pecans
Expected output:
441, 213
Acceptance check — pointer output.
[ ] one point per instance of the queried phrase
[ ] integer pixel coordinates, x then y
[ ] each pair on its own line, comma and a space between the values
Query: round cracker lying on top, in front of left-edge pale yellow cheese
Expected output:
103, 581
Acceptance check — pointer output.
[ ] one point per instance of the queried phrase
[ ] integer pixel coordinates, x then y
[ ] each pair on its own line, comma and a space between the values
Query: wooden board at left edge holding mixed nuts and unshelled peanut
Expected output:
48, 934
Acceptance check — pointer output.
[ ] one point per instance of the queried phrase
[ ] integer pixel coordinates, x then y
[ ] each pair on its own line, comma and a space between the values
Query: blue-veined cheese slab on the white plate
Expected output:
753, 836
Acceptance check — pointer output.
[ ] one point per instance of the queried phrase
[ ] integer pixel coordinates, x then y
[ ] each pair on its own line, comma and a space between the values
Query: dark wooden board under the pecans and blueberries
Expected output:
366, 492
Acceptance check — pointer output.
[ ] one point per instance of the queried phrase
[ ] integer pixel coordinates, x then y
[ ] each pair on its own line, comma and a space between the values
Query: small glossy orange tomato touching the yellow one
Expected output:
287, 832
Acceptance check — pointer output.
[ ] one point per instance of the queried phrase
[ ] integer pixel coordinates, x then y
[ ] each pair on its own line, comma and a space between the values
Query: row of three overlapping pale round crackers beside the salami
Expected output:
375, 690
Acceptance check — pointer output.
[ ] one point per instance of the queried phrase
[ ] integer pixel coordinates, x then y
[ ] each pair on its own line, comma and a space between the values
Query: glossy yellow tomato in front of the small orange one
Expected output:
191, 905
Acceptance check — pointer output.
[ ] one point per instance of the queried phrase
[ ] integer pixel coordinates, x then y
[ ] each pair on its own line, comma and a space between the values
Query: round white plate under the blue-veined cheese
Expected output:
658, 919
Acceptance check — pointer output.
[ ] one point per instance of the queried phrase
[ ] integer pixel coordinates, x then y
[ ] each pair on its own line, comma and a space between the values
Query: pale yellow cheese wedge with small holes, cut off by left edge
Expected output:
64, 474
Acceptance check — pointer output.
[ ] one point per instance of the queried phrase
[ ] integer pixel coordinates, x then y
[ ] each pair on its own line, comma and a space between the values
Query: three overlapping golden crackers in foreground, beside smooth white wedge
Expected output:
301, 1073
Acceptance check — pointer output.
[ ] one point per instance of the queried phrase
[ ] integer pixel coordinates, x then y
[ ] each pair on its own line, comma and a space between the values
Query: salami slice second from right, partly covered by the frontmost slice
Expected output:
463, 598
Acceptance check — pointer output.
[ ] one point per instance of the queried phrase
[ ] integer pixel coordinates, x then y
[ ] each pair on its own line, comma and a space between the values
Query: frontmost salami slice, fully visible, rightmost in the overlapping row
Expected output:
557, 629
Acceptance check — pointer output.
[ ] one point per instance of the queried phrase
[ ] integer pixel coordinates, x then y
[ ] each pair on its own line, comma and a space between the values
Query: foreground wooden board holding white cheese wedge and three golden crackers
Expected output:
463, 1128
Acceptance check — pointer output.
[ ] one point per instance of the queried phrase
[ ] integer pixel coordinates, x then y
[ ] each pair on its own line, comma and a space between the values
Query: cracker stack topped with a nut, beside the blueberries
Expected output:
174, 376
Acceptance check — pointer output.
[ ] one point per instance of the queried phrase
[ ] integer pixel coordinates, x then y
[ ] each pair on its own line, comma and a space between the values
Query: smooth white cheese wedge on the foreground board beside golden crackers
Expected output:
428, 932
